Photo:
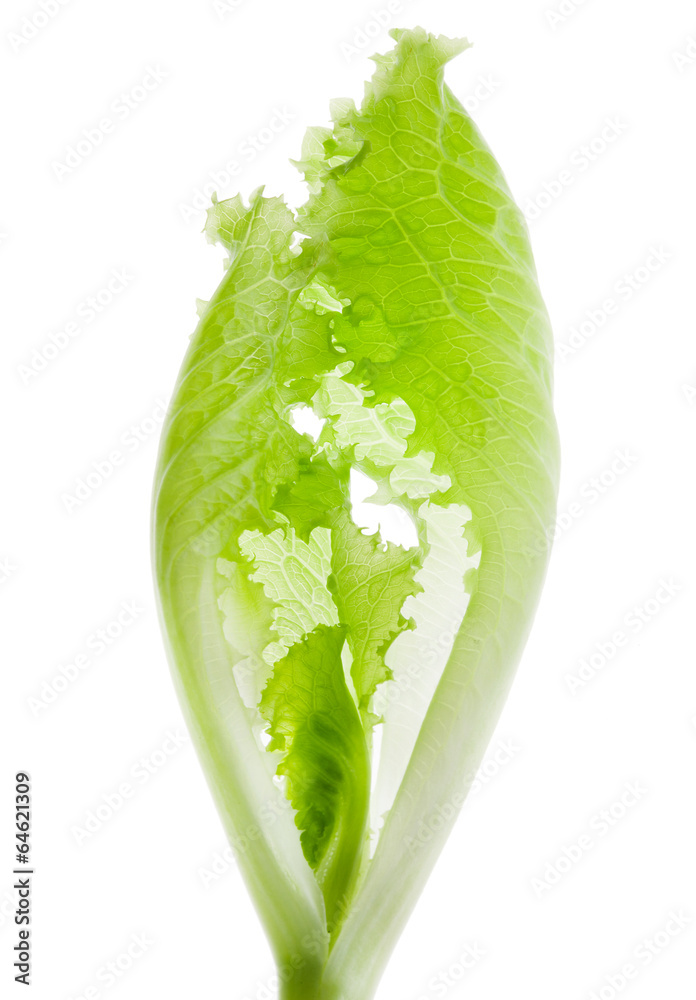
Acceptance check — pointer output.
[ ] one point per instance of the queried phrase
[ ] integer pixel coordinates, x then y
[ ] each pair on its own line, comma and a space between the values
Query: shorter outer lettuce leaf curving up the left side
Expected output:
225, 448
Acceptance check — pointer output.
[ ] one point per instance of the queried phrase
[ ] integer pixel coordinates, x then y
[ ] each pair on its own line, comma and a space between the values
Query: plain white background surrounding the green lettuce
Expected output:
541, 87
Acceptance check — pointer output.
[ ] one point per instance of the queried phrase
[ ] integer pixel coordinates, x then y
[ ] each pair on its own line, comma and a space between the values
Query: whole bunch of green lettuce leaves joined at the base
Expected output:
401, 305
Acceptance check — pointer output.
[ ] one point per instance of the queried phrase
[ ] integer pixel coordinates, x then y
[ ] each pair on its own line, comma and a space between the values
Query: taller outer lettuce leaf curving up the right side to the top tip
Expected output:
426, 241
